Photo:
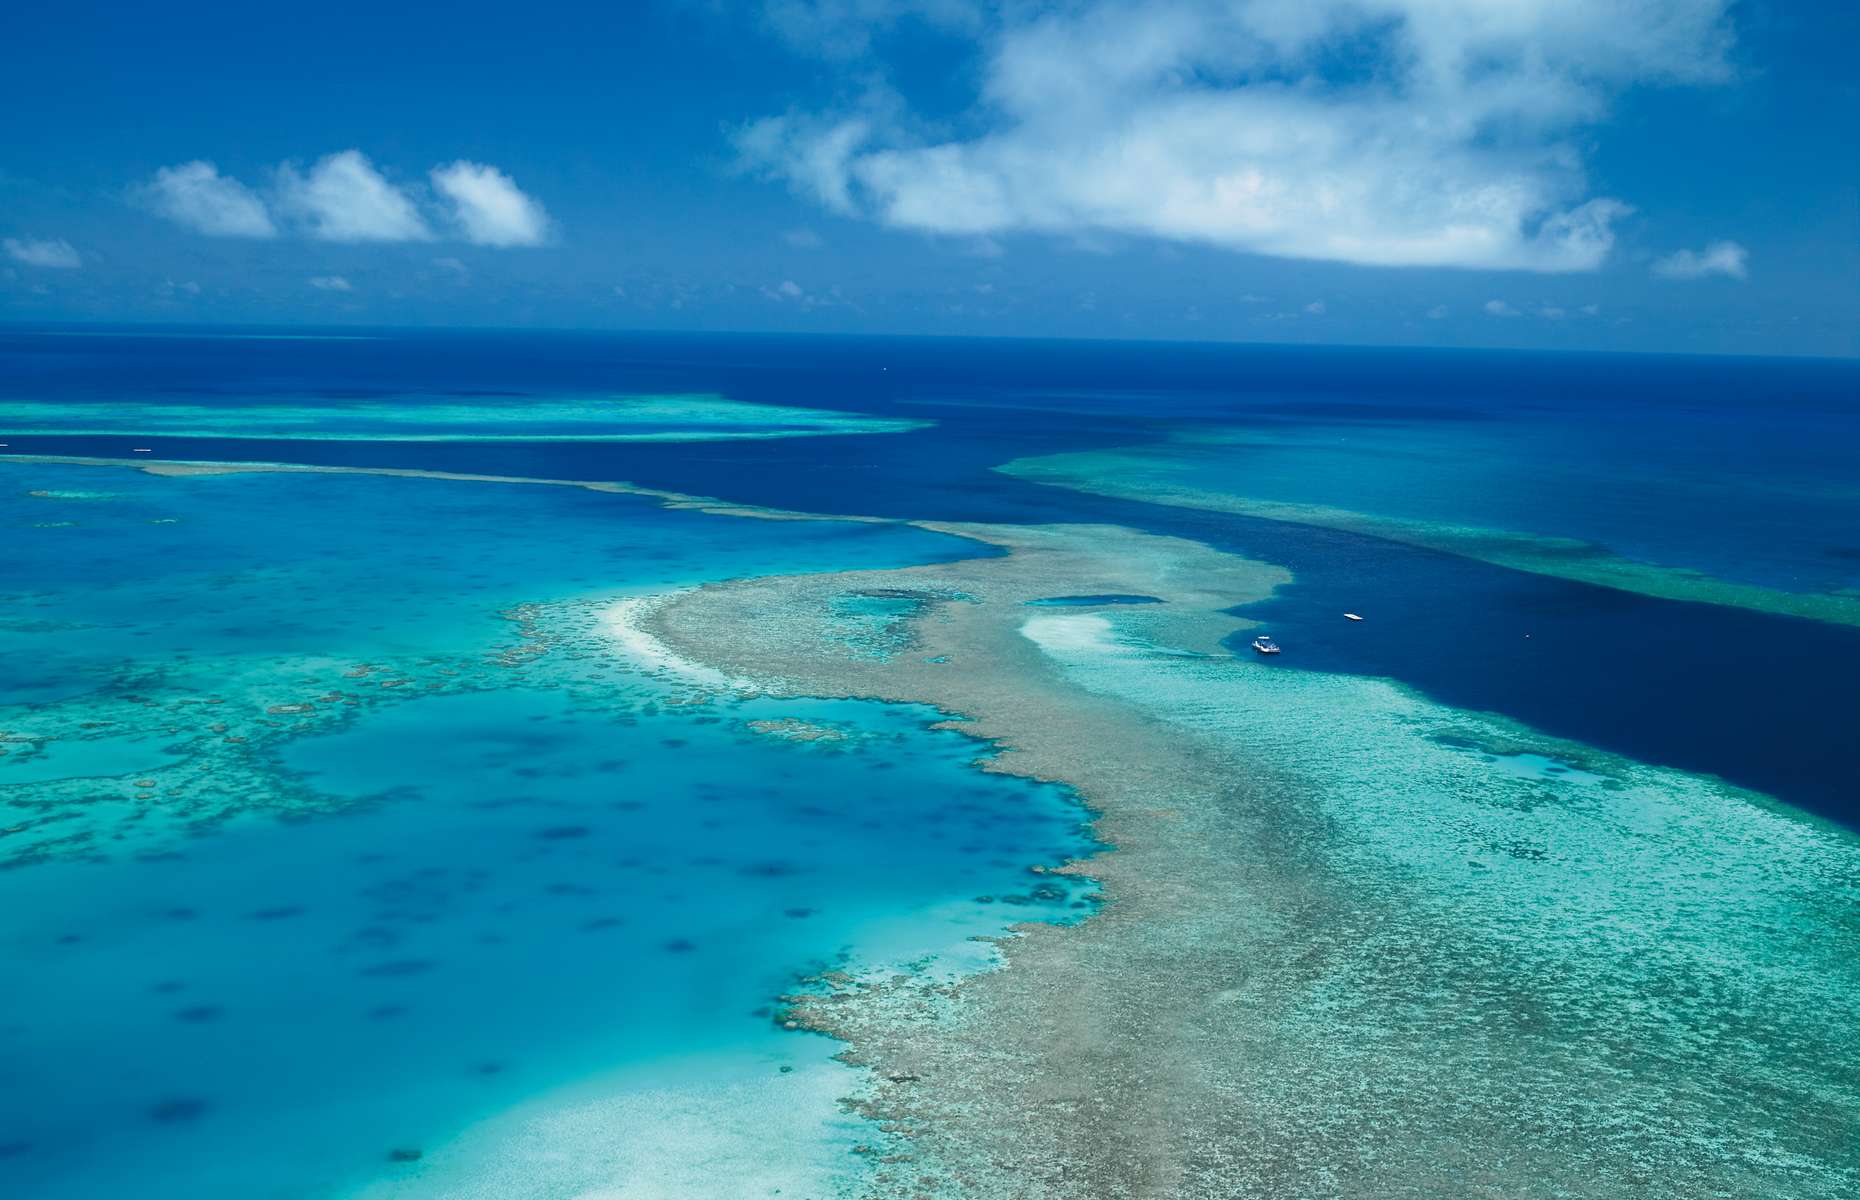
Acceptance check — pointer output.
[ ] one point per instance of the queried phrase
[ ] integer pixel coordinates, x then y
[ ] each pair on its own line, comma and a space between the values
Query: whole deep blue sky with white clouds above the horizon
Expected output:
1643, 176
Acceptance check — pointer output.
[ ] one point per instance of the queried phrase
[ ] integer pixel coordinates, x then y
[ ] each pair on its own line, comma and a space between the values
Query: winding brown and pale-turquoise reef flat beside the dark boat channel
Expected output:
1353, 944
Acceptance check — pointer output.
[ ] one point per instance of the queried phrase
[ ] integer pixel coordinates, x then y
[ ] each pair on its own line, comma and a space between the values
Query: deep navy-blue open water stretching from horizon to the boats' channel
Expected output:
1768, 702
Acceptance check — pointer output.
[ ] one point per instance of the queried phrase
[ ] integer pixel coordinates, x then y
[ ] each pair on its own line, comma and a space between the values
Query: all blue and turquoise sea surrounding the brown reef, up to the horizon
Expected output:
358, 844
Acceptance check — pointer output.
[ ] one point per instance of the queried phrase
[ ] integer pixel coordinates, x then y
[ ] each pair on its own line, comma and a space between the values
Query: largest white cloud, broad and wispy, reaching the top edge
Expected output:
1450, 139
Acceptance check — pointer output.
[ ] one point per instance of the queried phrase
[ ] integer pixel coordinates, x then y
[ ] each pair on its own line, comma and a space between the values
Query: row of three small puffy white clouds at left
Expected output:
345, 198
